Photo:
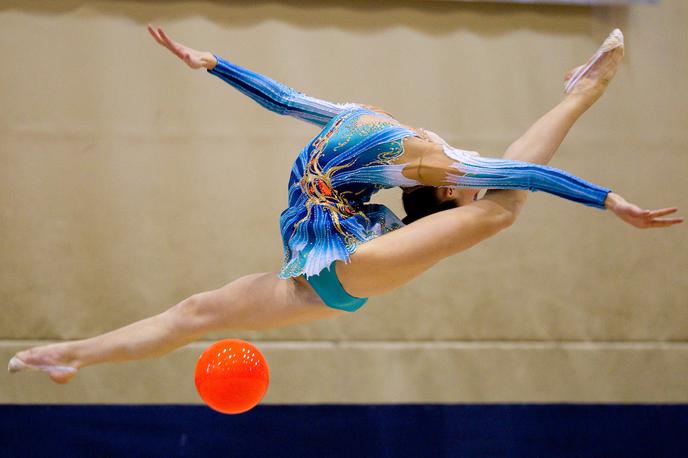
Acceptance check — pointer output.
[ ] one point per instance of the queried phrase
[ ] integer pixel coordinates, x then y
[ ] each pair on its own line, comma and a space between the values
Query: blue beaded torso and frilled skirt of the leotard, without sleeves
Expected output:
331, 183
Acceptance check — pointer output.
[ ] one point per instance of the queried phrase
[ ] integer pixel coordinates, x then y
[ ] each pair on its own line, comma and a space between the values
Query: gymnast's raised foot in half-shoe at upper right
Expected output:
589, 81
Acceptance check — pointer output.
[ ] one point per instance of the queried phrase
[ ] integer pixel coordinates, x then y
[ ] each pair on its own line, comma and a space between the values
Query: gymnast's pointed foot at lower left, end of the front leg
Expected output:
51, 359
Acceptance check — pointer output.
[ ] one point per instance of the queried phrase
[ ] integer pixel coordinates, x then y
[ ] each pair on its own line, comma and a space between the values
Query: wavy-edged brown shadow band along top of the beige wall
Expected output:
428, 17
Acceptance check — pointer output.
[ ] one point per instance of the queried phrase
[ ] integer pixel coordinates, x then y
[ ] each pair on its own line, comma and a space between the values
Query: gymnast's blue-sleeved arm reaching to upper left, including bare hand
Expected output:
267, 92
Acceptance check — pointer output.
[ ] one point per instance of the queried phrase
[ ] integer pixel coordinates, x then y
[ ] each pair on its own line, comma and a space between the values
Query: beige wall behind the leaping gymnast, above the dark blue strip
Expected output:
128, 182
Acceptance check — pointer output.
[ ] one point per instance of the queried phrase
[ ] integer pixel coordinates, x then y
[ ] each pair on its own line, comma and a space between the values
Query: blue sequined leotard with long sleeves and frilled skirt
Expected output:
335, 175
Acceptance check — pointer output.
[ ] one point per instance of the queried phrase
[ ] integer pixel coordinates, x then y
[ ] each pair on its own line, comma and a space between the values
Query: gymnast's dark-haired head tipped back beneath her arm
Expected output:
421, 201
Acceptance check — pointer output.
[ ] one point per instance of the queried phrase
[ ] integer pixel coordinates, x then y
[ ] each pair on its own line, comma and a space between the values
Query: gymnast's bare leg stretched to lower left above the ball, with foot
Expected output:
252, 302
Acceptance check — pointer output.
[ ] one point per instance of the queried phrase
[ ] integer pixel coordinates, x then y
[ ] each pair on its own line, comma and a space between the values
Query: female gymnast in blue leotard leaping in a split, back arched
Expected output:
338, 248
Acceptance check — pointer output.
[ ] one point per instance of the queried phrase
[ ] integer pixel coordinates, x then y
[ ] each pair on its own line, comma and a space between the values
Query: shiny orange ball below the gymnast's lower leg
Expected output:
232, 376
